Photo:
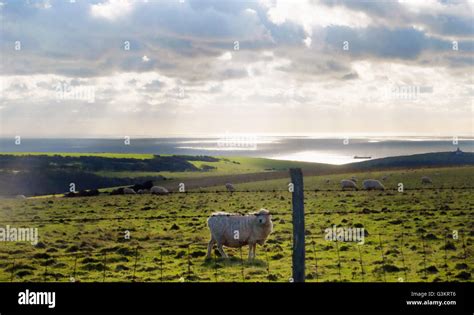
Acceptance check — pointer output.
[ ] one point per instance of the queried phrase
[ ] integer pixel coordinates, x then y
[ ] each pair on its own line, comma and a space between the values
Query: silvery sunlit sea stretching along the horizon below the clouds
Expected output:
296, 148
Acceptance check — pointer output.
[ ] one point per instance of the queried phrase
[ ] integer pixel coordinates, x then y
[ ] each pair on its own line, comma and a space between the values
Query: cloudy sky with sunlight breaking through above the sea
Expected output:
153, 68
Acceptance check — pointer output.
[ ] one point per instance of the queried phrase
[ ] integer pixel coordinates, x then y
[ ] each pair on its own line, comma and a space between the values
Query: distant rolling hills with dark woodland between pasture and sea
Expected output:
44, 174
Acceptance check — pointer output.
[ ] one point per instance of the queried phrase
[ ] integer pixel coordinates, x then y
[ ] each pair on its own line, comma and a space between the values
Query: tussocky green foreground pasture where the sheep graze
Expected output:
79, 236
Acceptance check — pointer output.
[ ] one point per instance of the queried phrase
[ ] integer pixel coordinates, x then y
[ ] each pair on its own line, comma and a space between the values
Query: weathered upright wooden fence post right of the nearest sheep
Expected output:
298, 225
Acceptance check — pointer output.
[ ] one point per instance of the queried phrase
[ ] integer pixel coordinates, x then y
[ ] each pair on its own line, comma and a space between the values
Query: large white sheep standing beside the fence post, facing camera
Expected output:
235, 230
